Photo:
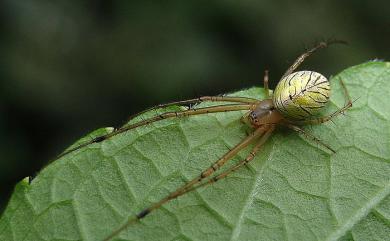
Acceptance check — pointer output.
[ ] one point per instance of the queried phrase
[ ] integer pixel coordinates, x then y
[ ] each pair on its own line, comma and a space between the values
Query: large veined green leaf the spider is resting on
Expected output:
293, 190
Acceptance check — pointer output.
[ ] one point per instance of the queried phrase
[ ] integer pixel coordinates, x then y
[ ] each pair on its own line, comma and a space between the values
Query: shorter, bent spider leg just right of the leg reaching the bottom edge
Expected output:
243, 162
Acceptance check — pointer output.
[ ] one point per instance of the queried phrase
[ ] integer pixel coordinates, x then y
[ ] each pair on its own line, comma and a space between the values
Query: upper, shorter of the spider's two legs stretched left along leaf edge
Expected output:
243, 100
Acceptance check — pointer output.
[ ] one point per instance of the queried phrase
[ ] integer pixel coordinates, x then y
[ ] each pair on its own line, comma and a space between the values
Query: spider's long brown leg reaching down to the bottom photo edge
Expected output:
183, 189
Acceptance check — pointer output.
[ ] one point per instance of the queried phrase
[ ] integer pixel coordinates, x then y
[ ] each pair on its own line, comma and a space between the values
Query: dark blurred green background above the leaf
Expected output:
69, 67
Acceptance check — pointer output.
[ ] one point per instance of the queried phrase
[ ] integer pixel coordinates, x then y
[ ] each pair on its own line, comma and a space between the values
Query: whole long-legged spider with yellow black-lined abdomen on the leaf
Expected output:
297, 98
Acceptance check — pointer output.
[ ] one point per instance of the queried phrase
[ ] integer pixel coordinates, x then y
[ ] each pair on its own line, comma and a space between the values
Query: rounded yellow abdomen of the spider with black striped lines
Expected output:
301, 94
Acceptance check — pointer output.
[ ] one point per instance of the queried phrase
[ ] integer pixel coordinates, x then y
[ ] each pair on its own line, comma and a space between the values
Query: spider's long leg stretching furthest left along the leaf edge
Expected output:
163, 116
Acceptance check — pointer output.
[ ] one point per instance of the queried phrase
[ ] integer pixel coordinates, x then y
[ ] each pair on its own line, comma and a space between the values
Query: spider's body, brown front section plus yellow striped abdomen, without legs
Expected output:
297, 96
